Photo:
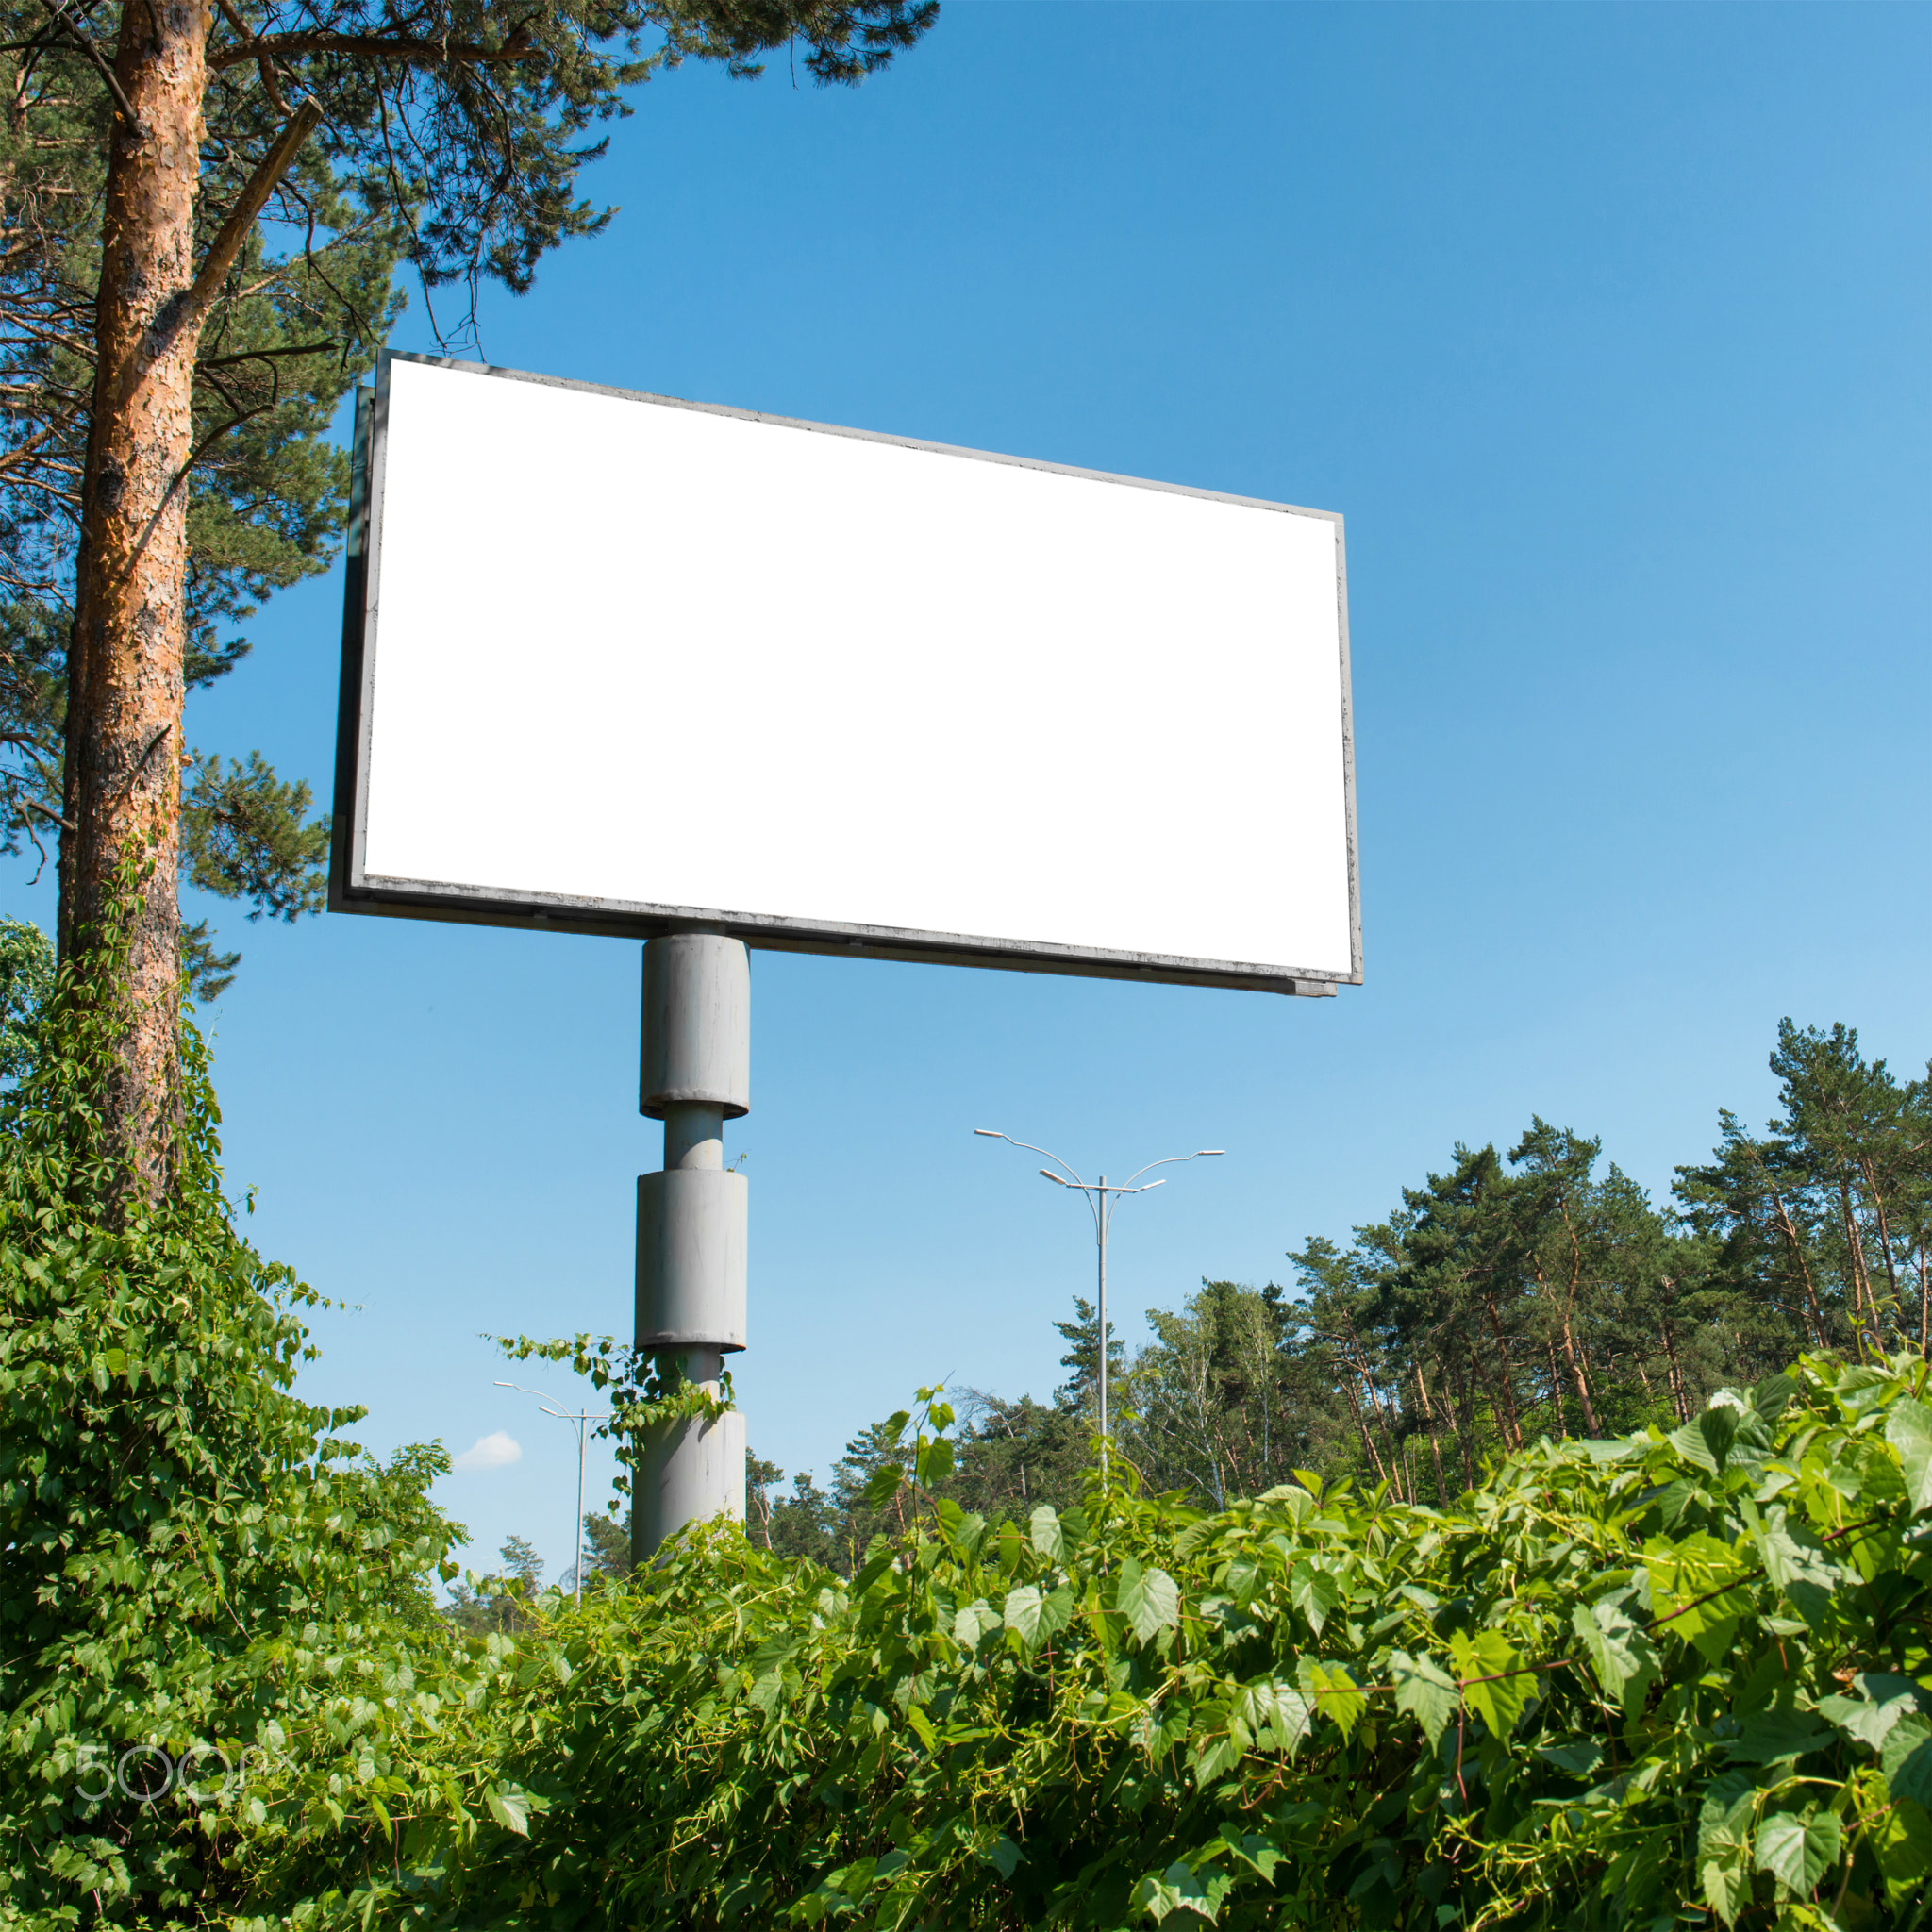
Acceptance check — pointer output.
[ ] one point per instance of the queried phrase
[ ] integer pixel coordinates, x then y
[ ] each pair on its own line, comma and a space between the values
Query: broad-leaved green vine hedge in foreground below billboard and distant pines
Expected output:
1504, 1713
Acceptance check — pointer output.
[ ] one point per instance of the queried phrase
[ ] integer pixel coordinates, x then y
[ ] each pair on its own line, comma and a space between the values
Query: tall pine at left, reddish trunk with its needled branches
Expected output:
173, 366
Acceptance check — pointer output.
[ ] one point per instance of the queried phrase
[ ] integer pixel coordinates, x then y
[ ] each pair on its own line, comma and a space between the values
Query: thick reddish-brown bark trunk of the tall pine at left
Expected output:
125, 668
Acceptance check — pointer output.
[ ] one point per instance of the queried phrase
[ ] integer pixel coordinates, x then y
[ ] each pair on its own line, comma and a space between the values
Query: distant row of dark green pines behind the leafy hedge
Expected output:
1535, 1292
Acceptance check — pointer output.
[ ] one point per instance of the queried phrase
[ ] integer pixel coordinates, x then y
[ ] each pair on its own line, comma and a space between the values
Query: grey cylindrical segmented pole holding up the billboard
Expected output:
693, 1220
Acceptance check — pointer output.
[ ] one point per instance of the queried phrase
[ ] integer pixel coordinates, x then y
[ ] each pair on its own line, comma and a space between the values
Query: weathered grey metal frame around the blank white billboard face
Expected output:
353, 890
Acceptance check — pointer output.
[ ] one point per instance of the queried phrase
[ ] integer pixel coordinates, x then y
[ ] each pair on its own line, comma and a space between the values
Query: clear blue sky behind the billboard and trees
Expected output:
1605, 327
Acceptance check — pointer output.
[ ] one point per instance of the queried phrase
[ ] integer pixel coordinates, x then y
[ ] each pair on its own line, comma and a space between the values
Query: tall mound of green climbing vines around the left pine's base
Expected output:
194, 1566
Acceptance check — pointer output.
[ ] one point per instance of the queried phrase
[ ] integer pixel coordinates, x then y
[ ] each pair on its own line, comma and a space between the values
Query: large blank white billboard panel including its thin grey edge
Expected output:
625, 664
